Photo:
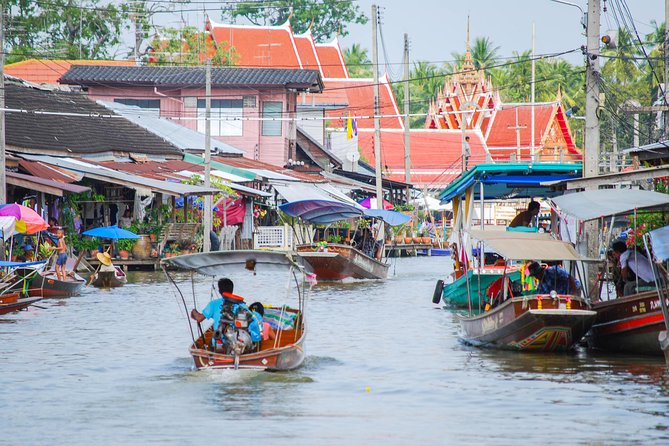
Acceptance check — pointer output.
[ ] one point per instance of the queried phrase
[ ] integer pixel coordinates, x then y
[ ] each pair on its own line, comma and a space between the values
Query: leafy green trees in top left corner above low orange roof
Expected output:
63, 29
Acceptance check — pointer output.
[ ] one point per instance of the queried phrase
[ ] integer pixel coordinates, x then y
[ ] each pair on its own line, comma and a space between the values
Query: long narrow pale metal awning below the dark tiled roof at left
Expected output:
136, 182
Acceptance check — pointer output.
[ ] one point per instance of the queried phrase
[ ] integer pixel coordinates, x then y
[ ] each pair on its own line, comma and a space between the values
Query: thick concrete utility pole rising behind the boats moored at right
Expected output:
591, 156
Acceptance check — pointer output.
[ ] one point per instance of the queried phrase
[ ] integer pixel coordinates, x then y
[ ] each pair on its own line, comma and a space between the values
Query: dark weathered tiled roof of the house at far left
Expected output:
73, 134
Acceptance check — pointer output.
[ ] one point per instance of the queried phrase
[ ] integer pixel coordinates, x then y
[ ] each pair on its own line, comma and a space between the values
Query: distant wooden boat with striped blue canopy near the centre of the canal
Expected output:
337, 261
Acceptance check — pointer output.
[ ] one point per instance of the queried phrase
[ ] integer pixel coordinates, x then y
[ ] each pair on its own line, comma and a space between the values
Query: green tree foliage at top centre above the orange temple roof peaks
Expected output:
325, 18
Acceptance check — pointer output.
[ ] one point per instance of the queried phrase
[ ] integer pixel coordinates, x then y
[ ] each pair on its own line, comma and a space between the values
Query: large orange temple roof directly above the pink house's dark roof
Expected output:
259, 46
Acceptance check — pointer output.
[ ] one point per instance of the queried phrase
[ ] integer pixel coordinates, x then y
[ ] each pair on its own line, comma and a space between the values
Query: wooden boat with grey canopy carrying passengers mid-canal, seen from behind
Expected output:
287, 350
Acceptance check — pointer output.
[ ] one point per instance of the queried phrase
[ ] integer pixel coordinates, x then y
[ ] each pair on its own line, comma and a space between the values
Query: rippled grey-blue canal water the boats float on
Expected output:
384, 366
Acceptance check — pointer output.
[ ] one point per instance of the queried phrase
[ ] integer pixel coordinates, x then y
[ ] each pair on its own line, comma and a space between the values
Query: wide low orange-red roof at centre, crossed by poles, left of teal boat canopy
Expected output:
435, 154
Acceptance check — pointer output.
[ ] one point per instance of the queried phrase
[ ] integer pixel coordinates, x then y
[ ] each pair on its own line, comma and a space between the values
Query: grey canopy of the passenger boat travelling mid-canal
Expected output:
225, 262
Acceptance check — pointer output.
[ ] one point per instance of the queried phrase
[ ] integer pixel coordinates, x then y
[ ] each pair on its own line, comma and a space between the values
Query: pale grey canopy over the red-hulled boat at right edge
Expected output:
592, 204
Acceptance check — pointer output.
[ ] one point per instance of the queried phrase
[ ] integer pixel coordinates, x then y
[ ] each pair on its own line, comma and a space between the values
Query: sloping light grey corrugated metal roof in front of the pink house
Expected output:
182, 137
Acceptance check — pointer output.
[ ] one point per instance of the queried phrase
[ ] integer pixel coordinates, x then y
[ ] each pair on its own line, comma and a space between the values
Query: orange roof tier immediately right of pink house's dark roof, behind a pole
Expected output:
360, 93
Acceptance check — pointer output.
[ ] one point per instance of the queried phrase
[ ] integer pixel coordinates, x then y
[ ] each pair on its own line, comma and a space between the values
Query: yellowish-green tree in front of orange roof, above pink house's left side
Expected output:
186, 46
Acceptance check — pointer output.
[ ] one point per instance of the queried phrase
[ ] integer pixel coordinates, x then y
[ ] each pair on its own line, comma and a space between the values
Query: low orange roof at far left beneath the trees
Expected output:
42, 71
